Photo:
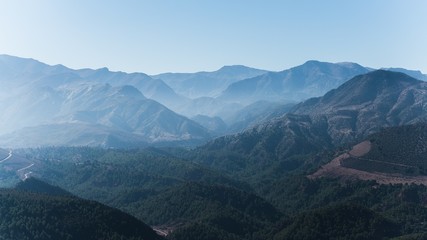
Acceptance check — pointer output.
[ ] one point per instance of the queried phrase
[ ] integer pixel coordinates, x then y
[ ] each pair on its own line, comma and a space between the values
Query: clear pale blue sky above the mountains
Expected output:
203, 35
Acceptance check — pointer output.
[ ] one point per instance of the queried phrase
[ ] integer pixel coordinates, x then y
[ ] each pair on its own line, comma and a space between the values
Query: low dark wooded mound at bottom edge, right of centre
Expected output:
344, 222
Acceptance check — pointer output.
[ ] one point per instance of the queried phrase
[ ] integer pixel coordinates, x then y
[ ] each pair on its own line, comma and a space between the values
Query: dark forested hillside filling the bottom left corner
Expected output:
62, 216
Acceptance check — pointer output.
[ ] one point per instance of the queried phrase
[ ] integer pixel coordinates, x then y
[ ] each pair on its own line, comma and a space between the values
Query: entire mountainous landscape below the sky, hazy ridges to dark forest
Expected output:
285, 158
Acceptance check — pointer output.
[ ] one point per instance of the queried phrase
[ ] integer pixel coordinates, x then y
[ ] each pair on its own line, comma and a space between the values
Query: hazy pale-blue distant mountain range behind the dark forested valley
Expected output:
45, 105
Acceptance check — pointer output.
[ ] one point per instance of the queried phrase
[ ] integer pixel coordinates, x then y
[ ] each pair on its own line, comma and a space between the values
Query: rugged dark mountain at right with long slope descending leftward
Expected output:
359, 107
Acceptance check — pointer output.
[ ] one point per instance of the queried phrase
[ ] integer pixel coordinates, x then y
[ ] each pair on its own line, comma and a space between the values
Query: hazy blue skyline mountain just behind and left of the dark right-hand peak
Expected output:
311, 79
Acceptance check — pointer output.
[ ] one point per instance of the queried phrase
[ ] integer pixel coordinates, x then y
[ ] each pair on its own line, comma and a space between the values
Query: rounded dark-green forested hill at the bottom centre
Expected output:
229, 212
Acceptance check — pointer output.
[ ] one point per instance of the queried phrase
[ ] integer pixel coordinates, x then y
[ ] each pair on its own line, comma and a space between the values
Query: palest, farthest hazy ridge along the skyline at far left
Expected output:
16, 72
